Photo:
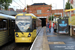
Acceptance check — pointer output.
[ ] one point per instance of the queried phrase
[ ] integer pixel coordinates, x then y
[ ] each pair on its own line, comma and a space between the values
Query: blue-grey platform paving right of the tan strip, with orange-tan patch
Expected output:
60, 41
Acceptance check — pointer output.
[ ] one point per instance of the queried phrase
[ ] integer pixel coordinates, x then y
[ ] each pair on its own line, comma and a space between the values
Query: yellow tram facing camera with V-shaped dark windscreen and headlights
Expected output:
25, 28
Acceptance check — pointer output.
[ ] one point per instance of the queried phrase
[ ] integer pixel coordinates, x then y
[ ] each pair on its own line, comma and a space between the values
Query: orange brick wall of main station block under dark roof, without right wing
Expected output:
44, 10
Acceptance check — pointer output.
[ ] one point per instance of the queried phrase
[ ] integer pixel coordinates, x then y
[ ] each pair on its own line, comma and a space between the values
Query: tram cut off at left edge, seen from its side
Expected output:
7, 26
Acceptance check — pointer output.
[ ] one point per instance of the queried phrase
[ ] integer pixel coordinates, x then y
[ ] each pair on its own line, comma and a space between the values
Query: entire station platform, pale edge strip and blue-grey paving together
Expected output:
52, 41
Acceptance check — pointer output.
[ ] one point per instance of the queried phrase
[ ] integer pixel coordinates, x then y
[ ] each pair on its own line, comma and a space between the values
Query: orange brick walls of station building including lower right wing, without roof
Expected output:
46, 10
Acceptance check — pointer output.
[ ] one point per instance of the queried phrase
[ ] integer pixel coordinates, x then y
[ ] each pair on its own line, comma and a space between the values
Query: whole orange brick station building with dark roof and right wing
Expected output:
42, 10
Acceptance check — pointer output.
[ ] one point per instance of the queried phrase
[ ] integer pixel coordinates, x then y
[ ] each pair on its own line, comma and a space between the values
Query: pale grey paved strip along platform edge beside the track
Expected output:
38, 42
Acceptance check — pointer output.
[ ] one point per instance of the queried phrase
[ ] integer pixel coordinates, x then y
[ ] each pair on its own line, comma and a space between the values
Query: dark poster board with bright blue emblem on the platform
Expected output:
63, 27
